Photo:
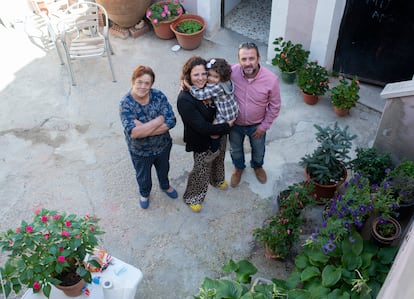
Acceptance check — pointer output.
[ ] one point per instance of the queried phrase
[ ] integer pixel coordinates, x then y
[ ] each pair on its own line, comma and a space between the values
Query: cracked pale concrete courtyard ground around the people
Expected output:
62, 147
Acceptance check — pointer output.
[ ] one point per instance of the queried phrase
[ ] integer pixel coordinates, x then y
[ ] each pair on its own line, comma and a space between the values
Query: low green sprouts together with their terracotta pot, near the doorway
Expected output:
189, 30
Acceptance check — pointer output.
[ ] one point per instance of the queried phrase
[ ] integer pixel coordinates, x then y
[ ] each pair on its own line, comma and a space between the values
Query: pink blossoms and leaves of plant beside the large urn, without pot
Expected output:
164, 11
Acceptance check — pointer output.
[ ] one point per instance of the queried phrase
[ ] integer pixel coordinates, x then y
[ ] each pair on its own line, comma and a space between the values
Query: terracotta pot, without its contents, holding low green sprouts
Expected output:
189, 41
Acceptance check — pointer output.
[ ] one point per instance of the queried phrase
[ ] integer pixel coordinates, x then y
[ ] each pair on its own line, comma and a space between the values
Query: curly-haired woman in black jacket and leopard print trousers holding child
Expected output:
198, 117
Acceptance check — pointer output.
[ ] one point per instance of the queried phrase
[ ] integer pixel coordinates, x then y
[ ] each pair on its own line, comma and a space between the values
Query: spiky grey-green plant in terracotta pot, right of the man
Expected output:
326, 166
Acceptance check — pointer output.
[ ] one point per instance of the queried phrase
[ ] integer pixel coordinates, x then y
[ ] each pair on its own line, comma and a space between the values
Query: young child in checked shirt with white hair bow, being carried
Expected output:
219, 89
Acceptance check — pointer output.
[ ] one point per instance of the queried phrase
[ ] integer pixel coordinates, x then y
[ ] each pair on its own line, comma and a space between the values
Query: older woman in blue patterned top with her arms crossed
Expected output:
147, 117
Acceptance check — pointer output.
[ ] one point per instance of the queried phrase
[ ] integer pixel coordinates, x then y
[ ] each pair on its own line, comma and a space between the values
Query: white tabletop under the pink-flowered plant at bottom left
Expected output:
123, 277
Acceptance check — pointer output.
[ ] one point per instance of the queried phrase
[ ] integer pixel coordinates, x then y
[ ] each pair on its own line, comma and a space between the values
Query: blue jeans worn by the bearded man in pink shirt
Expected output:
236, 138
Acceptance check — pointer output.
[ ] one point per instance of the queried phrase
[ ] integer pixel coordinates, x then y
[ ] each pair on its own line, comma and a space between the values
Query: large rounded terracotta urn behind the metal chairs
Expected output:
125, 13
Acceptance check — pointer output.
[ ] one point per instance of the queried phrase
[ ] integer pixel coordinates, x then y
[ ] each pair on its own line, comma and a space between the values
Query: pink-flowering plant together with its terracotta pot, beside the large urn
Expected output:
162, 14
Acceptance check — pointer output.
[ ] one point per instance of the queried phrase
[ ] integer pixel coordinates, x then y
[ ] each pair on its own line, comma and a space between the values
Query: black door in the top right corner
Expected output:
376, 41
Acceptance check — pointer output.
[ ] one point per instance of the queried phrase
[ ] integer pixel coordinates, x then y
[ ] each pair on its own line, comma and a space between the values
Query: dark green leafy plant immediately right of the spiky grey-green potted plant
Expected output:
372, 164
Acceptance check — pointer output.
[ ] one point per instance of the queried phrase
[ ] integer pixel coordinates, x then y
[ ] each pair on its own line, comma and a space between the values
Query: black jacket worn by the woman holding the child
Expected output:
197, 118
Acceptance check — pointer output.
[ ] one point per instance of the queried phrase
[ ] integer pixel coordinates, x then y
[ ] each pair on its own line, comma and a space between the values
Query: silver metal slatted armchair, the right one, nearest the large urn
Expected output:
85, 34
